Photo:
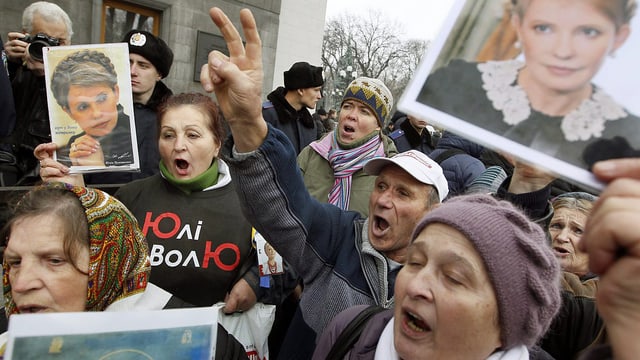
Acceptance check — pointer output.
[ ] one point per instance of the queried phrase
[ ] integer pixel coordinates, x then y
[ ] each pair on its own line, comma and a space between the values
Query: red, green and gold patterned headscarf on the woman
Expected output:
118, 258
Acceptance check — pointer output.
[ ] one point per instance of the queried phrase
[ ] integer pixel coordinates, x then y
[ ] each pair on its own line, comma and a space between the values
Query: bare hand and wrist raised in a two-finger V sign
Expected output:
237, 80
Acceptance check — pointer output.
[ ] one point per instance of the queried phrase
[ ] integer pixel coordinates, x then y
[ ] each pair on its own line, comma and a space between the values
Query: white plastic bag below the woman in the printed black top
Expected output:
251, 328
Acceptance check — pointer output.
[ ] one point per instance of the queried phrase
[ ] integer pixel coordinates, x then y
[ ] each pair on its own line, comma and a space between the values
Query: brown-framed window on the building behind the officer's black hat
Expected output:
118, 17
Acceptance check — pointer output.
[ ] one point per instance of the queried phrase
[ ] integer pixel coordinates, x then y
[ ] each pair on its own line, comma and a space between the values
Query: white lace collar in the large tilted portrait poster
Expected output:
588, 120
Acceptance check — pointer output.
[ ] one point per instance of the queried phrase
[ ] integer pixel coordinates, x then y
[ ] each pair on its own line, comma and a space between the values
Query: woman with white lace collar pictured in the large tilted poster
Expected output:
548, 101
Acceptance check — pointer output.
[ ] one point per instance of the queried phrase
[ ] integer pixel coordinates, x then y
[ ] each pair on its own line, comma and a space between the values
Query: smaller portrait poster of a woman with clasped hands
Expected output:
90, 106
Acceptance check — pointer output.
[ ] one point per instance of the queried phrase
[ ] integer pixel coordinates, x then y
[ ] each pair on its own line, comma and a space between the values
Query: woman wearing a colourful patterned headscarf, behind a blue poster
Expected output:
91, 256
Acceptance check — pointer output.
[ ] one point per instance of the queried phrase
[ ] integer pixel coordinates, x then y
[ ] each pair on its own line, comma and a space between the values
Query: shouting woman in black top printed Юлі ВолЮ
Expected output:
200, 242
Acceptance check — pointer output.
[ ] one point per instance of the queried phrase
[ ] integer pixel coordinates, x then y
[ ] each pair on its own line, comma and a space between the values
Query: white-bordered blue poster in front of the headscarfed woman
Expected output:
164, 334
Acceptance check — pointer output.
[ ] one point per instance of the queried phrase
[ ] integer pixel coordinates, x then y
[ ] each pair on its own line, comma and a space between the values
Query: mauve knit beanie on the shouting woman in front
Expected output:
521, 266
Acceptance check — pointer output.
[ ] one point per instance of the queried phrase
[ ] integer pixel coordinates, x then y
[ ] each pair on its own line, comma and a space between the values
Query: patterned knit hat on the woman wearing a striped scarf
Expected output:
374, 94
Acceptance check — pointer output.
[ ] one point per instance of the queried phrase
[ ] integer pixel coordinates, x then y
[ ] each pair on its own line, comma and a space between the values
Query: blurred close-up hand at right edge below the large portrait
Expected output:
612, 240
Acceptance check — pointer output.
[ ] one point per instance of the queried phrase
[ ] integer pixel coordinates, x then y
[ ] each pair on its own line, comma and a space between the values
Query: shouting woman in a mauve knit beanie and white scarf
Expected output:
462, 294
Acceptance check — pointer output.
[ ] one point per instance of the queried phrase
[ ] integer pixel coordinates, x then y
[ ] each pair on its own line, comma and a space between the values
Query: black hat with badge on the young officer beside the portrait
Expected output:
151, 48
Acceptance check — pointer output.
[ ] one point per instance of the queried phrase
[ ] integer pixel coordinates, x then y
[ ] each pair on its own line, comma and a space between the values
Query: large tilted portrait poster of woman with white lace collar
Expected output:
535, 82
